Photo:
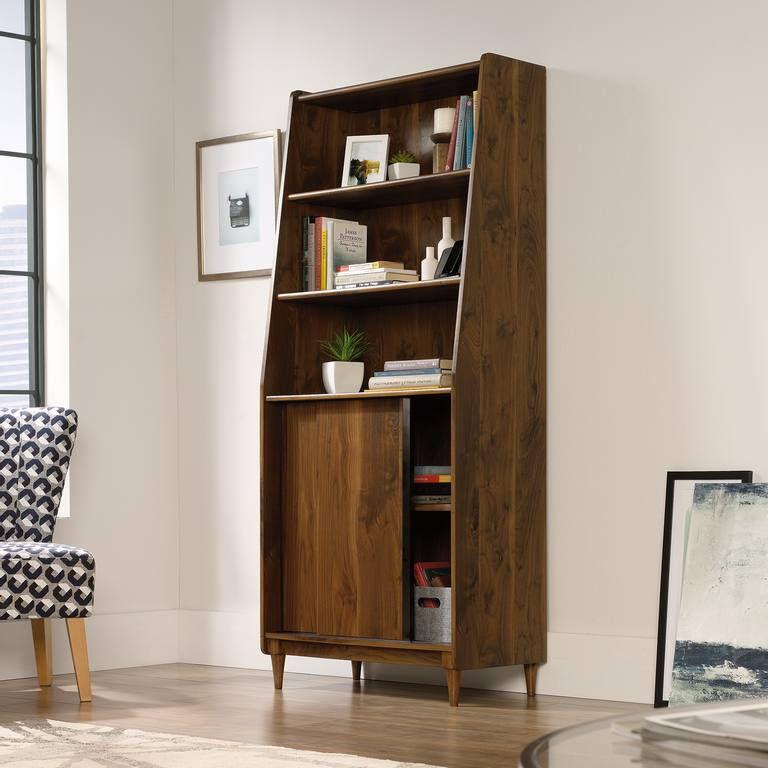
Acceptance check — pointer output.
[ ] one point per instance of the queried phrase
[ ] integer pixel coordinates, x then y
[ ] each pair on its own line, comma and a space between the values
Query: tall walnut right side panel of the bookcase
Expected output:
499, 394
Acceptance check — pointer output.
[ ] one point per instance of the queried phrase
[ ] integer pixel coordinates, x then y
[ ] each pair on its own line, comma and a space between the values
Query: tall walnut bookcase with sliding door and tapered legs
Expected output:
338, 535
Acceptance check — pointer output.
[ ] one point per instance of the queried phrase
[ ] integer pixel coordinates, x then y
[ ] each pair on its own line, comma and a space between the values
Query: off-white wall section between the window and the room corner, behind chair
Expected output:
122, 336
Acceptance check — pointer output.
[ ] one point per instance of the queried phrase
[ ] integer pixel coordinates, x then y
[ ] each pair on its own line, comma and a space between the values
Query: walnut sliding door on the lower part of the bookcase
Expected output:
343, 518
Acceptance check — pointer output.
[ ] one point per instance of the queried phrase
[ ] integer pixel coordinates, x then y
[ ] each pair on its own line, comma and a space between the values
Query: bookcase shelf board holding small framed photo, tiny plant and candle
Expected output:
432, 186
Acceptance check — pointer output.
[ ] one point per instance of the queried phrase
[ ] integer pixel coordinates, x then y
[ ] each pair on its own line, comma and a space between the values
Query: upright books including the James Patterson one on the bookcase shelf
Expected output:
327, 245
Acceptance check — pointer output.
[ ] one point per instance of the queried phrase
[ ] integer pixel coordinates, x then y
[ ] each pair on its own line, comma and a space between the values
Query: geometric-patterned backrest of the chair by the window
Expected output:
35, 448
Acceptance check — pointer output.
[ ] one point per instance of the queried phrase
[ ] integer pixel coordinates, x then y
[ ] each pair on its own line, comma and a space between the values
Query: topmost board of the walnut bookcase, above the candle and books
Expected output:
423, 86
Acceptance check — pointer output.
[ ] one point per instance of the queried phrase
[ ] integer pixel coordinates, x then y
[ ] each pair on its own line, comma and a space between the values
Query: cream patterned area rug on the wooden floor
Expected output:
55, 744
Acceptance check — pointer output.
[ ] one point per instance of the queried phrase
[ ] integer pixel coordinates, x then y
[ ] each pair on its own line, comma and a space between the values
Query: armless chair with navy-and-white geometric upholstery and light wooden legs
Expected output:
40, 580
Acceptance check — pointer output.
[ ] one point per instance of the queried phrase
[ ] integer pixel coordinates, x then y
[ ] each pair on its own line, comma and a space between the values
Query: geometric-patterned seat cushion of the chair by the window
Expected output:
41, 581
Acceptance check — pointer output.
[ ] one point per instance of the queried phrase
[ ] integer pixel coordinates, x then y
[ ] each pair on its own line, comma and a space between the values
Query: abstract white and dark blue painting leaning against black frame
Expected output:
722, 635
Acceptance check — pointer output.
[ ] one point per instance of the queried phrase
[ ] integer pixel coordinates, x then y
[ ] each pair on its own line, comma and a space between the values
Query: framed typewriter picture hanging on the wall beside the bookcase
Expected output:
238, 181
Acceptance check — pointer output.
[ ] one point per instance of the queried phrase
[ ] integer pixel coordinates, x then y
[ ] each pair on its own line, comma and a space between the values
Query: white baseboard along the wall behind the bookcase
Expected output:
581, 666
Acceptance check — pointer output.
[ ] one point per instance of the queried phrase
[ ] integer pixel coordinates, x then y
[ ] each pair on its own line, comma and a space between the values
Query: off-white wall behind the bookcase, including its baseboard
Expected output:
657, 268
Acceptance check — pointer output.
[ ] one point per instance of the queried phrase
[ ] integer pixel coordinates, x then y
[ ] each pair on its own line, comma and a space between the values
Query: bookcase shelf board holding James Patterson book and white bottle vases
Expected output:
431, 290
